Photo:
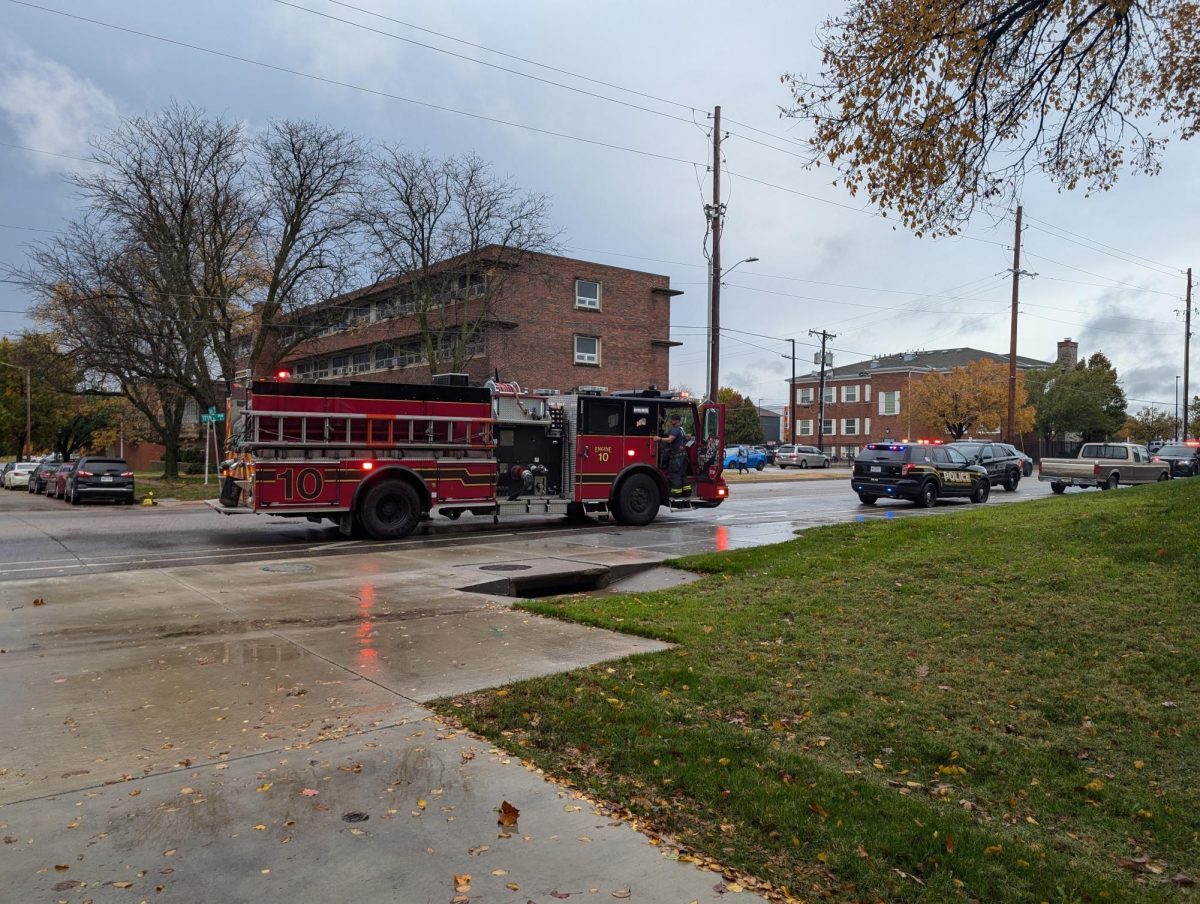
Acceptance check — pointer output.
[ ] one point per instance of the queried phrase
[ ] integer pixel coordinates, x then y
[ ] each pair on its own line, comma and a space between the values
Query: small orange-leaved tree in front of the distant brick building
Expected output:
971, 399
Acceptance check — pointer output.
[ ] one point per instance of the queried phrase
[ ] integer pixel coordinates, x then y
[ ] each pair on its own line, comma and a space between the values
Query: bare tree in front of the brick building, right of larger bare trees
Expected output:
451, 231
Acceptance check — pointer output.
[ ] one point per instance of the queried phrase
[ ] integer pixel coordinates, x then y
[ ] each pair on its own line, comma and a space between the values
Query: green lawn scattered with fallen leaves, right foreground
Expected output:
999, 705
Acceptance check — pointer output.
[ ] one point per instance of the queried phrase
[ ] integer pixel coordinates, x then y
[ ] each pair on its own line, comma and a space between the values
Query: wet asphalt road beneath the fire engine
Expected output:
41, 537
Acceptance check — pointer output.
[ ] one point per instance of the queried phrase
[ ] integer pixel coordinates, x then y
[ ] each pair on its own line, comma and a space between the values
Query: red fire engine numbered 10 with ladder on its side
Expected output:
377, 458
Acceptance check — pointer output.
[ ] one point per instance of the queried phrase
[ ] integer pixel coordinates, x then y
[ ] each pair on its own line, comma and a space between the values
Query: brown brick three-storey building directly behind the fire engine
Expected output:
550, 324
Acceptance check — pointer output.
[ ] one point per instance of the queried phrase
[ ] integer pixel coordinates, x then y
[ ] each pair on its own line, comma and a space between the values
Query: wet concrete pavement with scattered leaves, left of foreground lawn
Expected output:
256, 733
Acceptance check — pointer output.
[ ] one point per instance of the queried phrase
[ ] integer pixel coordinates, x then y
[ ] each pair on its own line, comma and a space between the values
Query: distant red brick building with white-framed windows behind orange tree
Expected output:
867, 402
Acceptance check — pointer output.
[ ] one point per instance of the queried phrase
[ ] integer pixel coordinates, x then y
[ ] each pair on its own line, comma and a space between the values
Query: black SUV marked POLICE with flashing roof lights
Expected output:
920, 472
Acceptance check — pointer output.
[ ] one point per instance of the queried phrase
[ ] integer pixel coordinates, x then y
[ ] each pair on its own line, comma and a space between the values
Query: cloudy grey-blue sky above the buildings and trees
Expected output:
607, 109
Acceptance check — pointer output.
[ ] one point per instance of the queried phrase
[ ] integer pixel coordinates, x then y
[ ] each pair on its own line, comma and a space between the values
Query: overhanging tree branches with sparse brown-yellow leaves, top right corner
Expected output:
935, 109
